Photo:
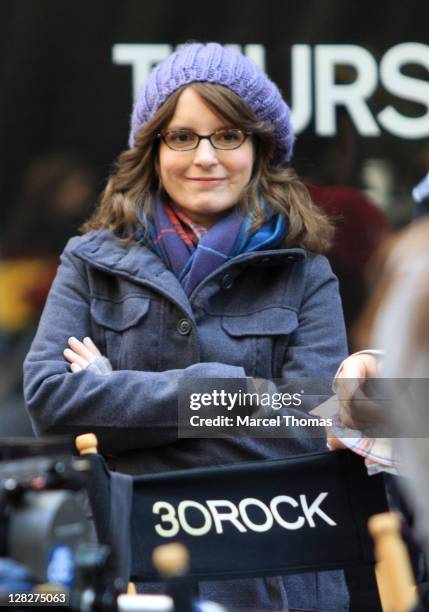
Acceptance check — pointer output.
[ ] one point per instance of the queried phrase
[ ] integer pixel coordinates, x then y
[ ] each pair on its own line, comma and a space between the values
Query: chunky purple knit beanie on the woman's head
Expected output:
214, 63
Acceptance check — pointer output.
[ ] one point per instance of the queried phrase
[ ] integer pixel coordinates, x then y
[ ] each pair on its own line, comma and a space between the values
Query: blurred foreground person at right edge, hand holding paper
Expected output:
396, 320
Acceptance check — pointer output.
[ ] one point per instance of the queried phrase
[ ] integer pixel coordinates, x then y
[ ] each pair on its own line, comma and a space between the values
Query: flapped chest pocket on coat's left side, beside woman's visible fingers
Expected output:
115, 320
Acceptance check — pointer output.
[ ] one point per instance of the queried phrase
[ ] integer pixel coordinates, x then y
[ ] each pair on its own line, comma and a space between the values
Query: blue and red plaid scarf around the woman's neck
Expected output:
193, 252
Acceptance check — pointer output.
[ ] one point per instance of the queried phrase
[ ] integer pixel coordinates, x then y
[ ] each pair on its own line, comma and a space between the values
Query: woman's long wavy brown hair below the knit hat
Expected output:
130, 195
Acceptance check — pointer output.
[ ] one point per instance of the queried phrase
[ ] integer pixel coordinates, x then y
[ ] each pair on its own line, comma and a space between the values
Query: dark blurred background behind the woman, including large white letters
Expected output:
356, 76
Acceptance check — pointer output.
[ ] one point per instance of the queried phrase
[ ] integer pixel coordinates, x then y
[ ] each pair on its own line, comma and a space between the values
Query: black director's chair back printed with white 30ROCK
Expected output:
271, 517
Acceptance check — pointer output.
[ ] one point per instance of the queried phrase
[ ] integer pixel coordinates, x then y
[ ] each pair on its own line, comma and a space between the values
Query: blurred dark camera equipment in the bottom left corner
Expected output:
44, 526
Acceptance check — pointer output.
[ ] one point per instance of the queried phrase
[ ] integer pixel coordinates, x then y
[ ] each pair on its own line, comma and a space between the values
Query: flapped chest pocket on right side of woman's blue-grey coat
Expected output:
260, 339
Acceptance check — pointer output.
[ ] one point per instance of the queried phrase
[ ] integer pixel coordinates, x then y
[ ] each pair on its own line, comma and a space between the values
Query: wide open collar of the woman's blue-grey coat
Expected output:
137, 263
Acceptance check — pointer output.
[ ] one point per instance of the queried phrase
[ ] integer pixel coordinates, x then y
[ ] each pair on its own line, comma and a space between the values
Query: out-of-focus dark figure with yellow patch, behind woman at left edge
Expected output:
56, 192
